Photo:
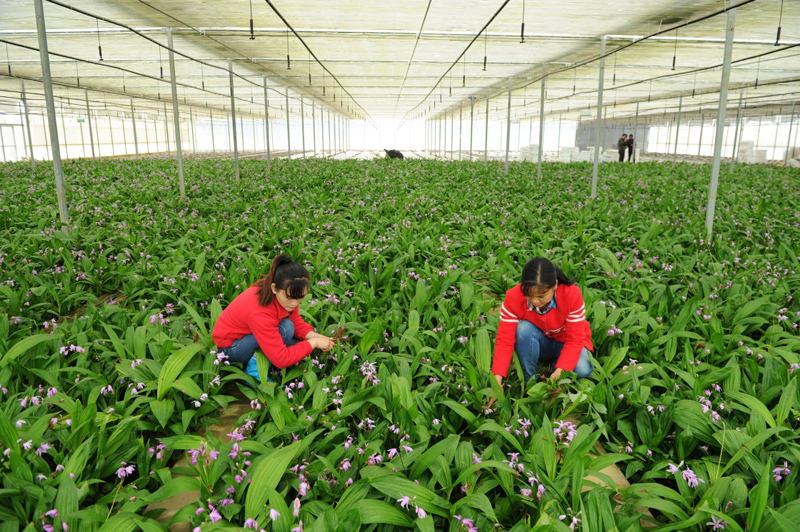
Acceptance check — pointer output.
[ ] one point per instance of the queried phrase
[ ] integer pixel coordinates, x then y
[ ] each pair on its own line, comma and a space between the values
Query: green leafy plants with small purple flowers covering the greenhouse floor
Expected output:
107, 369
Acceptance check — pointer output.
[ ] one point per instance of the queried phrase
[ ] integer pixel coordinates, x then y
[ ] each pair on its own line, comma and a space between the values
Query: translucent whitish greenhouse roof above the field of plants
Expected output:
409, 60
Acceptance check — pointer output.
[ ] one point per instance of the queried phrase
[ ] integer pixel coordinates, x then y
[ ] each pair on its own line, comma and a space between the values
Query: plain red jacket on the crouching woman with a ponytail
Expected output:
245, 316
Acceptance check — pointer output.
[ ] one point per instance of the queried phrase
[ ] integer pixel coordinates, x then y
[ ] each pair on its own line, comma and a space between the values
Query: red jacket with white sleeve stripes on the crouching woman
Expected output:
566, 323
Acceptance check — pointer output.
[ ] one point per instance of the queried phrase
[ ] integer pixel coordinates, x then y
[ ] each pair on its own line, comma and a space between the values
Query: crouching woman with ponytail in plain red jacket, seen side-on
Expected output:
265, 316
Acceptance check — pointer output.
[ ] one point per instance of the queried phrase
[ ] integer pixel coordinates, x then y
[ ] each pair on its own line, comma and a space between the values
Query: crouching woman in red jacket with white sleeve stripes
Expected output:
544, 320
